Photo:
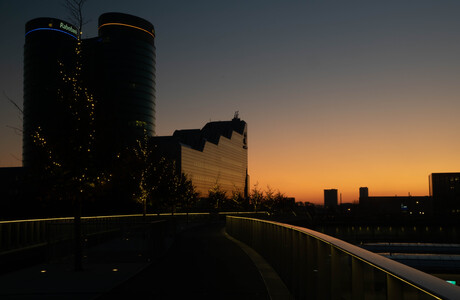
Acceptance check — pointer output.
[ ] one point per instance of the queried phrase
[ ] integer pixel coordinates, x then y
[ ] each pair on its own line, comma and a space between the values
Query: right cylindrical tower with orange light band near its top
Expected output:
126, 59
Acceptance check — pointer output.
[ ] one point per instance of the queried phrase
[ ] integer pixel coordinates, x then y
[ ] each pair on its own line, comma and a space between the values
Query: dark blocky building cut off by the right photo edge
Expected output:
445, 191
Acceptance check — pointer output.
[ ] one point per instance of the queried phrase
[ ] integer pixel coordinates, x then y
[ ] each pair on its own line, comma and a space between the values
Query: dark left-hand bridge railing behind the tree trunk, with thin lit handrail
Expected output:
27, 242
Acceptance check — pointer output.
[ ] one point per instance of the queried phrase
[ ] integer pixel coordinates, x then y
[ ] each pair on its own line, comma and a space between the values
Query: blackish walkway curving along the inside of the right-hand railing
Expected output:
201, 264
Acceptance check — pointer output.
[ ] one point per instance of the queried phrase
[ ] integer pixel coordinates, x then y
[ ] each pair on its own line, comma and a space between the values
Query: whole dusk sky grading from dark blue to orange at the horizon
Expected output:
336, 94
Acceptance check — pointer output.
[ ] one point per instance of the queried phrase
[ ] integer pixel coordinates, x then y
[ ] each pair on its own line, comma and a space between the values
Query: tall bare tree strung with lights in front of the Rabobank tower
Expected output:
72, 162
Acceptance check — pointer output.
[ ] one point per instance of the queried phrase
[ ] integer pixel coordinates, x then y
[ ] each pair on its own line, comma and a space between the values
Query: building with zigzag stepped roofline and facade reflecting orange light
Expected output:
217, 154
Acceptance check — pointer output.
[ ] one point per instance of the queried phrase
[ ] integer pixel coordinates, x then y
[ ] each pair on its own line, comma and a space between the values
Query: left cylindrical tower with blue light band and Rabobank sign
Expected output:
48, 41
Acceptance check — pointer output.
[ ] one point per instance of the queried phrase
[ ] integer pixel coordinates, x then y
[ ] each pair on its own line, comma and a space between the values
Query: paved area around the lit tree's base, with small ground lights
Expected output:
104, 266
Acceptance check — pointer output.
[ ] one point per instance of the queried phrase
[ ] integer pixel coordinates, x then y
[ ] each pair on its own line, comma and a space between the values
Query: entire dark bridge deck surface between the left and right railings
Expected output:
202, 263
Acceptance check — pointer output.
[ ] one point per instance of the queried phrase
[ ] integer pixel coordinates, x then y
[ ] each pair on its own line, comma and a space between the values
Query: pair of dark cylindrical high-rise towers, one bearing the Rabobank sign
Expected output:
118, 69
